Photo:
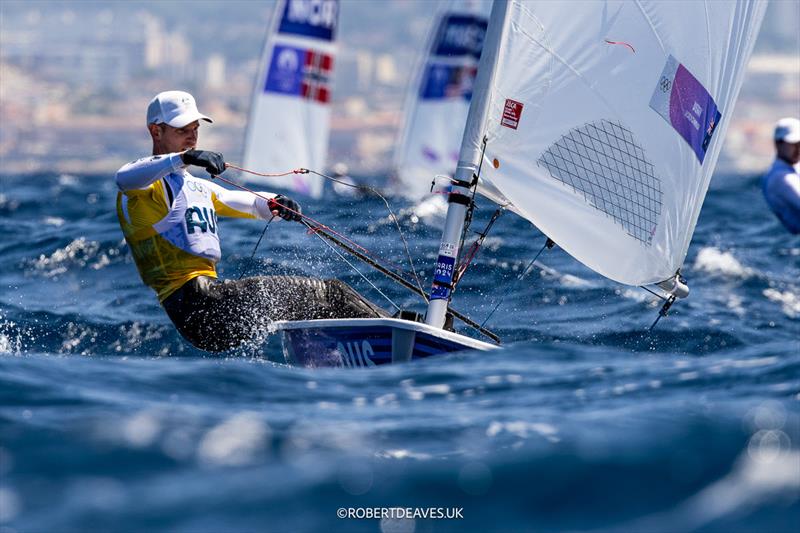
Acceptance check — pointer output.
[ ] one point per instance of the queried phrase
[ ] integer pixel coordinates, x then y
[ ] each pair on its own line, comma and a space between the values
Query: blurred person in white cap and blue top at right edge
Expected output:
781, 185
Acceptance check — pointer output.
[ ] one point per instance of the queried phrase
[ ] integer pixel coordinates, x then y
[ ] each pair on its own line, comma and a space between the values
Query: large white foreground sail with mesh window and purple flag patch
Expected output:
605, 121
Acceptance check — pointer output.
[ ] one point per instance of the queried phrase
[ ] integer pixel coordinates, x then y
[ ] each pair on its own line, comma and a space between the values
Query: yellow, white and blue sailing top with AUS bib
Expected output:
169, 219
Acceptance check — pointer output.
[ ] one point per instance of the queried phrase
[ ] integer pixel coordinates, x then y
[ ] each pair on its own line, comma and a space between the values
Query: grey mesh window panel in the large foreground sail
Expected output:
602, 162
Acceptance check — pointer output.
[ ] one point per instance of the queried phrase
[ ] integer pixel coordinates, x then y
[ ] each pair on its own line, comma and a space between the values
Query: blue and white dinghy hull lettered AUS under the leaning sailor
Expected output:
366, 342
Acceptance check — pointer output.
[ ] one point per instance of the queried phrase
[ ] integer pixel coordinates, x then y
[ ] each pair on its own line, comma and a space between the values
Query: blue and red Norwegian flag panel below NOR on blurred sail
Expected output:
302, 72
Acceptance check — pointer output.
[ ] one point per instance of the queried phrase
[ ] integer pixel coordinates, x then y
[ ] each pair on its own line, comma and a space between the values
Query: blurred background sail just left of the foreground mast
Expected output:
437, 106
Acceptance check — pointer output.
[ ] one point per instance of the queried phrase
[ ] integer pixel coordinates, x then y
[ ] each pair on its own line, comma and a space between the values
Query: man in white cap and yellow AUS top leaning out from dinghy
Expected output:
169, 219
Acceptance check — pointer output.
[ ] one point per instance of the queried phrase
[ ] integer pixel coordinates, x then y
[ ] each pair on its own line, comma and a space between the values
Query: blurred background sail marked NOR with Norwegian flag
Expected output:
290, 113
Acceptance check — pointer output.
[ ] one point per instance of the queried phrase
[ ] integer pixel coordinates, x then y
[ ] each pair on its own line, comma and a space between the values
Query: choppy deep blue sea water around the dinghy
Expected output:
109, 421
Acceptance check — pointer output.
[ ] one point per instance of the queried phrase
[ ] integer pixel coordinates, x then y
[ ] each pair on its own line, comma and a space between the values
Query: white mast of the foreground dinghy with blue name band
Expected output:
468, 161
